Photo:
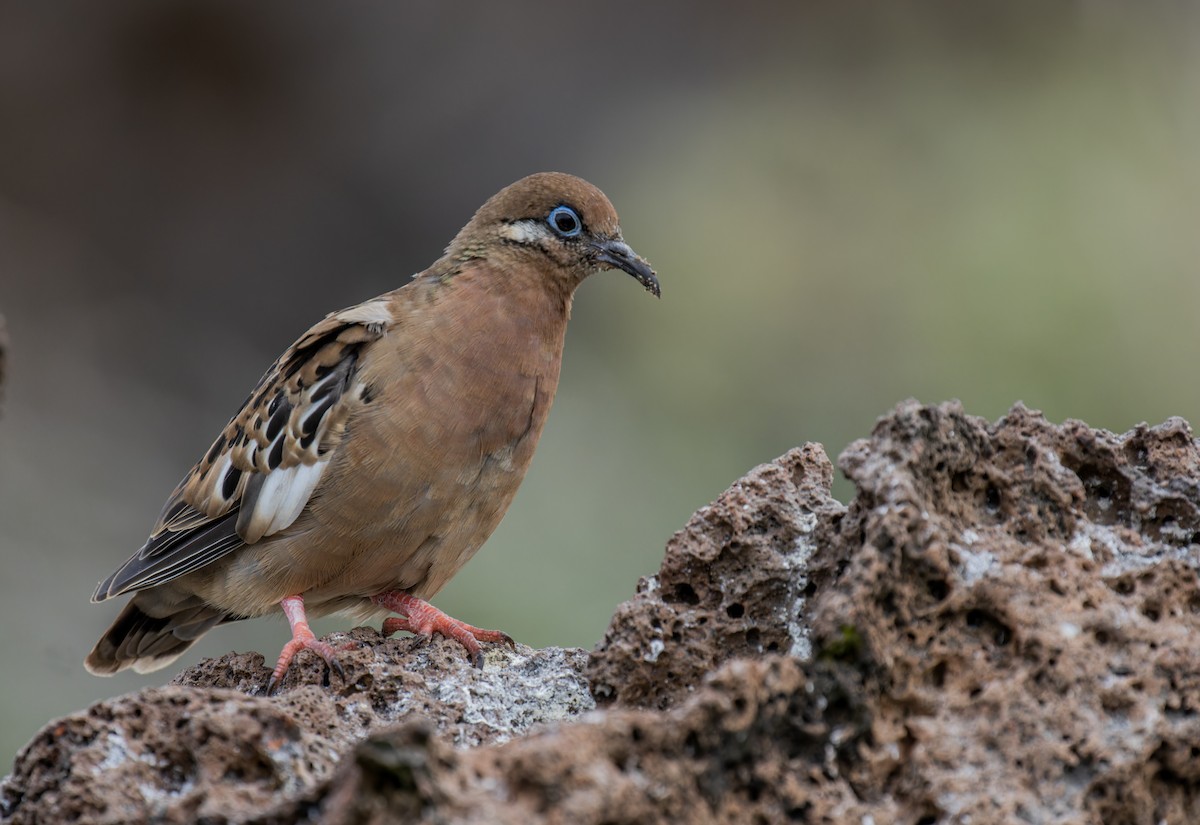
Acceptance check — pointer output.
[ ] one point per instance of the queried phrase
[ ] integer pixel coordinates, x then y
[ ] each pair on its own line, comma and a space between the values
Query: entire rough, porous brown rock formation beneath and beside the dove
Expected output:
1001, 628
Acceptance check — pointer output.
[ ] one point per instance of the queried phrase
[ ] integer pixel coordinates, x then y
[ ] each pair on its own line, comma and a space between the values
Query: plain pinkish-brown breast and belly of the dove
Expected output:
431, 463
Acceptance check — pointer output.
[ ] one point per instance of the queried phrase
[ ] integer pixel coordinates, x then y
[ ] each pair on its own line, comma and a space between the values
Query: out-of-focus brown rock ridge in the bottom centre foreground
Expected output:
759, 742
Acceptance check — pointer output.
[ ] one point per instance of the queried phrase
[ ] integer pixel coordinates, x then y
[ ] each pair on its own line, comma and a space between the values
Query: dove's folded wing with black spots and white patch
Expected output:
263, 468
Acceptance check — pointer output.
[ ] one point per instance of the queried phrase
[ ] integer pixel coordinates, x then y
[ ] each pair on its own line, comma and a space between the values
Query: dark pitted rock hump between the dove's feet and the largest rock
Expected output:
734, 583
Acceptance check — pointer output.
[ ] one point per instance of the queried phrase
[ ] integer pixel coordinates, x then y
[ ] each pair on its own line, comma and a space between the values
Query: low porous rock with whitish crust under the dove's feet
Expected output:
212, 748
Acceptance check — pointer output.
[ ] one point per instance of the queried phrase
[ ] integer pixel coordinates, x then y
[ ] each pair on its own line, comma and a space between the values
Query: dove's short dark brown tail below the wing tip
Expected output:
146, 642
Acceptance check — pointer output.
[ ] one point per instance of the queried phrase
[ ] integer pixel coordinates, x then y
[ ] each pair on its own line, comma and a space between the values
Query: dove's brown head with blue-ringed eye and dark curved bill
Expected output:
557, 222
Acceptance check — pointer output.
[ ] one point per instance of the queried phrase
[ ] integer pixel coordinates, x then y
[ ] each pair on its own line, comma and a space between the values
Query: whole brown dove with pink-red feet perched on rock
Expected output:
382, 449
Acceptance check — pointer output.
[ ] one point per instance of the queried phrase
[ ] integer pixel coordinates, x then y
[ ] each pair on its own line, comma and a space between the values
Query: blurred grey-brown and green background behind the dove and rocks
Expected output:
849, 204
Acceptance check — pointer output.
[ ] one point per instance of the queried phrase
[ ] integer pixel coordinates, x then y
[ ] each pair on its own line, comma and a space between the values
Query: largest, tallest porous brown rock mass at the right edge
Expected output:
1027, 598
